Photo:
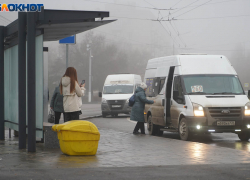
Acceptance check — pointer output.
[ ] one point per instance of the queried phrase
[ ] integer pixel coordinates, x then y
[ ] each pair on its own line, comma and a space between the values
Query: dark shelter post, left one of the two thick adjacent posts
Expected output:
22, 78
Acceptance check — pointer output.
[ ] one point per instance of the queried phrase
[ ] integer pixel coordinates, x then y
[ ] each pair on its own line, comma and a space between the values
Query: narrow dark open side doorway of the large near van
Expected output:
168, 95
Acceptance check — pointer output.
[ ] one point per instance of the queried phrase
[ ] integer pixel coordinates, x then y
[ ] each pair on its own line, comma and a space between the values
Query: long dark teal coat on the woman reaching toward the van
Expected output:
137, 113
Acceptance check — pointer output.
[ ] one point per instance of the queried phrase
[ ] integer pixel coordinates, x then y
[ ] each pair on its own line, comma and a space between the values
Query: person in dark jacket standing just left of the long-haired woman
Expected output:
56, 104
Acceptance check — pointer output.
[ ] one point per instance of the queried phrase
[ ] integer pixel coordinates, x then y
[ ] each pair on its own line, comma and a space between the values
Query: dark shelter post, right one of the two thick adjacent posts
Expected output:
31, 60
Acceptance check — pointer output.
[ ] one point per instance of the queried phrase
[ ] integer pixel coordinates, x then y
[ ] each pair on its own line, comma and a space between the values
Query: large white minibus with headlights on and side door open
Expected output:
195, 94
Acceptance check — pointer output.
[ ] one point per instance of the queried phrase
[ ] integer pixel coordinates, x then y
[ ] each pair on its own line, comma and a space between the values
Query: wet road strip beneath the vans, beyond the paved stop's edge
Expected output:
123, 124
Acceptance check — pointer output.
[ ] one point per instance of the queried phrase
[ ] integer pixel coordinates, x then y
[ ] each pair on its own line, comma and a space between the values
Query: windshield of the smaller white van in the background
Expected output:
118, 89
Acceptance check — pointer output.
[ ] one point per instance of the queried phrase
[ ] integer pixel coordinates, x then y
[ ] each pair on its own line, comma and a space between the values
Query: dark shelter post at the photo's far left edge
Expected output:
2, 83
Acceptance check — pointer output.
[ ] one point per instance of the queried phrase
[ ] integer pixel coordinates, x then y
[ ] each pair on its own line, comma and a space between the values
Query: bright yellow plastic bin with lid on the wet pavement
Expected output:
77, 137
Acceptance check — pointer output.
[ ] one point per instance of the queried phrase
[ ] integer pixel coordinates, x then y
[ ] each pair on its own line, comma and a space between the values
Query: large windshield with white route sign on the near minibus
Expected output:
212, 84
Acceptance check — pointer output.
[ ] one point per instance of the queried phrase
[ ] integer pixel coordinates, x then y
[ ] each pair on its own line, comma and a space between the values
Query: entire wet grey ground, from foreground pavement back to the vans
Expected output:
122, 155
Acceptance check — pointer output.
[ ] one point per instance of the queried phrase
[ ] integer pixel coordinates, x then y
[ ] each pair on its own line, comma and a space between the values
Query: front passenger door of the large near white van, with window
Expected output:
177, 102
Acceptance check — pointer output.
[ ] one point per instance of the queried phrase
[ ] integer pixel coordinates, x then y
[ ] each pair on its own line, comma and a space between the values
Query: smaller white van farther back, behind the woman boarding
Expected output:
117, 90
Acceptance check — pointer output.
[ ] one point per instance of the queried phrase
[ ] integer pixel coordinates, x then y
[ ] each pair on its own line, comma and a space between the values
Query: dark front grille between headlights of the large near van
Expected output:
224, 112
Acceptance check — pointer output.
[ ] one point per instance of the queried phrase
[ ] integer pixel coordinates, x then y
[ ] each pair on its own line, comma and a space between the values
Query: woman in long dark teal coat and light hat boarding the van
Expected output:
137, 113
